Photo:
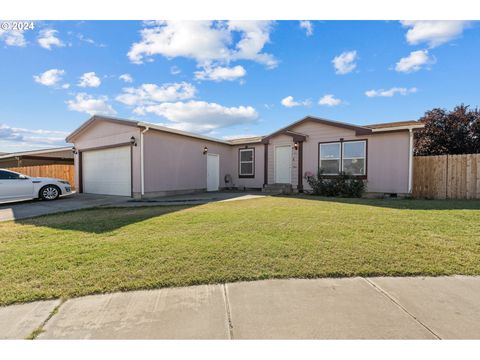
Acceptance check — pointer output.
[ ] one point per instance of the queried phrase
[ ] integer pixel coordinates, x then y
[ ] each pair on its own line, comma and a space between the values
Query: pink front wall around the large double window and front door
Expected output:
387, 157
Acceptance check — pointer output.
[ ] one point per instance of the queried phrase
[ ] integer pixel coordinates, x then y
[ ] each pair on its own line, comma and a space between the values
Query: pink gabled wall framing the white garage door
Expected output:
104, 134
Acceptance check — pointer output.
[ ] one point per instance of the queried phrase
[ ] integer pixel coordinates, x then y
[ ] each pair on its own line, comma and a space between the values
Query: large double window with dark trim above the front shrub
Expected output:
349, 157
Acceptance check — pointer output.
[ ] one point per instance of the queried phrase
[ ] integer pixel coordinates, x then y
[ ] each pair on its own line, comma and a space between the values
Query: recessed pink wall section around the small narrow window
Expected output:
257, 181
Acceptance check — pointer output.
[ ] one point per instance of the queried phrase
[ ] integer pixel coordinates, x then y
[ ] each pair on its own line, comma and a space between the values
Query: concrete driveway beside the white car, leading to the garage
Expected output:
32, 208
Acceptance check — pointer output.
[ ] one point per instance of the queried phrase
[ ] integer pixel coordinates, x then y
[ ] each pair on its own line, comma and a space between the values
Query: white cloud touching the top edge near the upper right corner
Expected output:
434, 33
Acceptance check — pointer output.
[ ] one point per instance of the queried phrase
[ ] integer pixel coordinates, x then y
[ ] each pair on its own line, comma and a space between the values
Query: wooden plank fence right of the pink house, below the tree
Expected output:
447, 177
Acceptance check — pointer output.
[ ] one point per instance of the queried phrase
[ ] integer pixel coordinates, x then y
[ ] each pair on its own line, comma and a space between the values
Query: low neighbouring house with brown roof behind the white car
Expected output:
58, 155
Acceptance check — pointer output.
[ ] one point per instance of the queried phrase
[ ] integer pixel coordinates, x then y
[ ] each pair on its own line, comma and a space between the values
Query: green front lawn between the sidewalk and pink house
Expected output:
104, 250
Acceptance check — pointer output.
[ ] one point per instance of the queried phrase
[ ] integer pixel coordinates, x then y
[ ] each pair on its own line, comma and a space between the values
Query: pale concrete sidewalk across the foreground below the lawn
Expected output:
352, 308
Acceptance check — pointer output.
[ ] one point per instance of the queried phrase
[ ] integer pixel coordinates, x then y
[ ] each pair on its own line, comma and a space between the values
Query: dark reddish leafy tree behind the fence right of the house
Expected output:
449, 132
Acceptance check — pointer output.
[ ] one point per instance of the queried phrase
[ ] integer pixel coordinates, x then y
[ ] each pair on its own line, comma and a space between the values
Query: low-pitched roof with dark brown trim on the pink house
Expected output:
359, 129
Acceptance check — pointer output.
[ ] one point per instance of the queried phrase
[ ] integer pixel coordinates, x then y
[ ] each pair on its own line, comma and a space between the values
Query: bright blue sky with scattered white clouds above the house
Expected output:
228, 79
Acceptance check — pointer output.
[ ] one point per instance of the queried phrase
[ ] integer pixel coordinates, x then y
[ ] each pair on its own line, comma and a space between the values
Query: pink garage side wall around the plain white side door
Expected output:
177, 163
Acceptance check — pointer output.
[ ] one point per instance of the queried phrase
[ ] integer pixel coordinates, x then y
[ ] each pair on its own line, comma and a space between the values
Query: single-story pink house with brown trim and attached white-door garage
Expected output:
138, 159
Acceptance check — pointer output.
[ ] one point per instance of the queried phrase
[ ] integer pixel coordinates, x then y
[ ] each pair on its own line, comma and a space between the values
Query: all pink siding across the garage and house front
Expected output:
176, 163
